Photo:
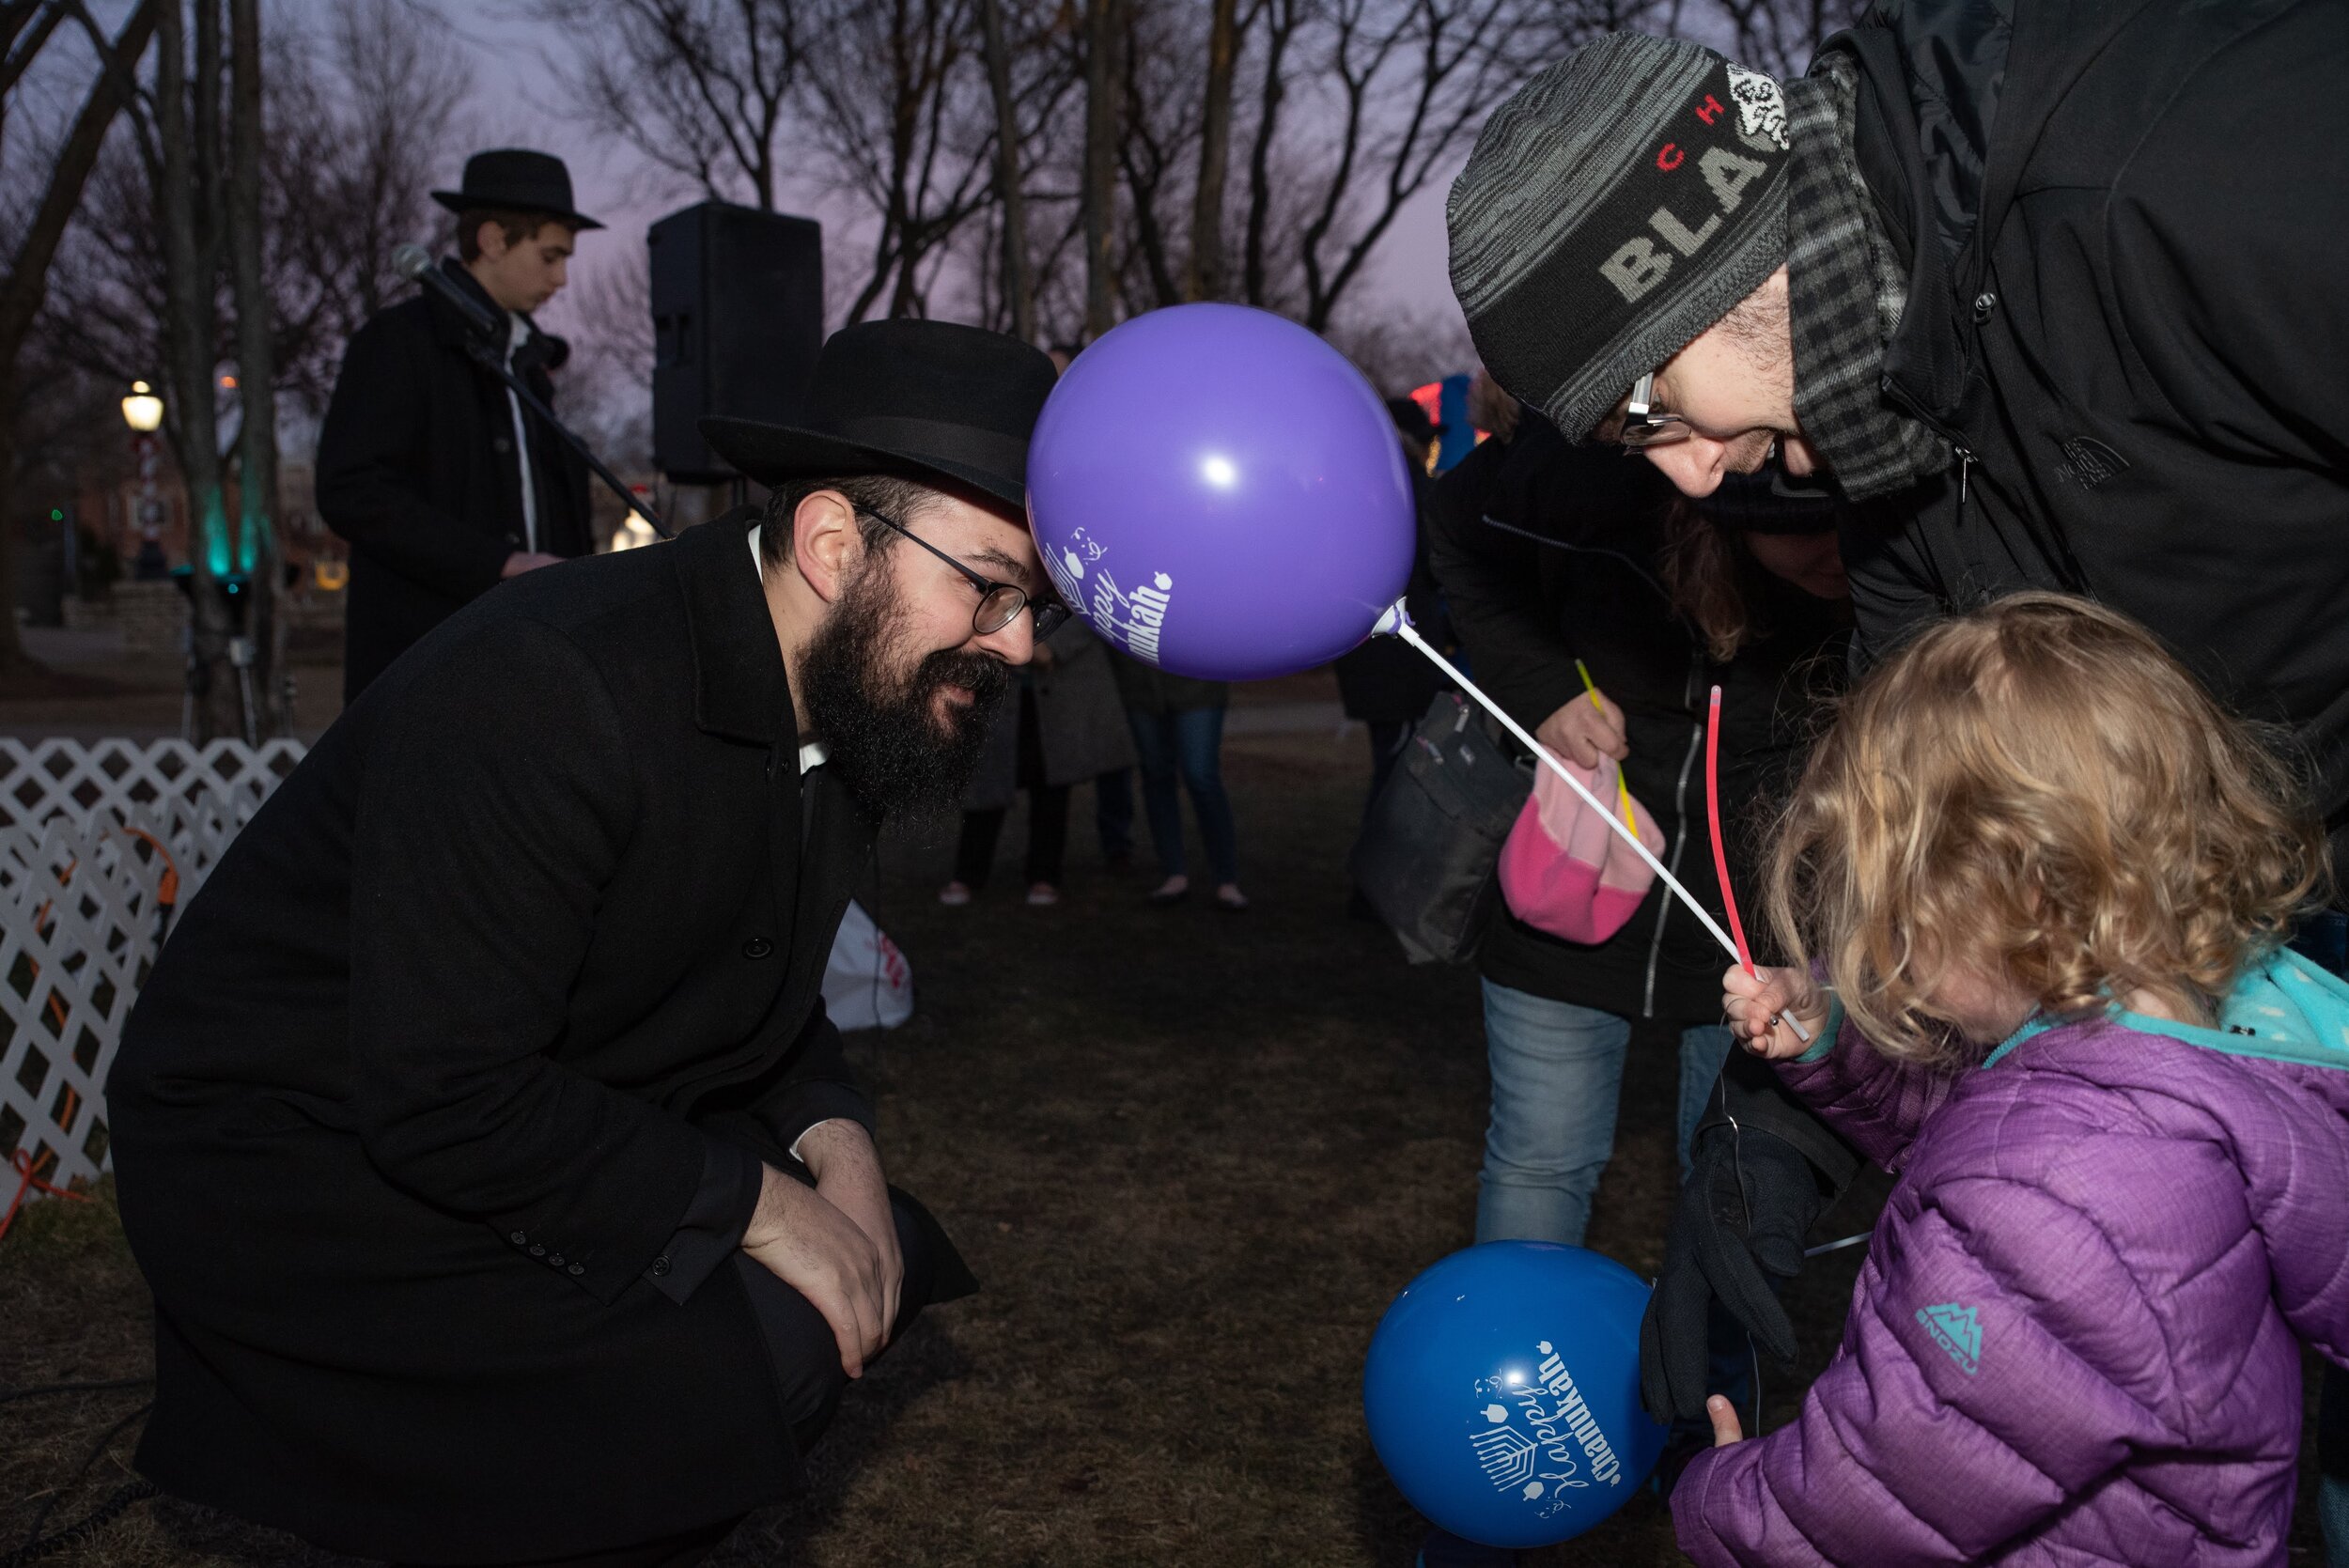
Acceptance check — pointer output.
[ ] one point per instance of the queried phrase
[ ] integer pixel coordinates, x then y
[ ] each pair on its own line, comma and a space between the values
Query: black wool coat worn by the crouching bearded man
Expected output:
426, 1079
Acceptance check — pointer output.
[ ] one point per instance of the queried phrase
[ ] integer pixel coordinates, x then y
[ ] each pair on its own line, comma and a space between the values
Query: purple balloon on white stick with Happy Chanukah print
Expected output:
1223, 494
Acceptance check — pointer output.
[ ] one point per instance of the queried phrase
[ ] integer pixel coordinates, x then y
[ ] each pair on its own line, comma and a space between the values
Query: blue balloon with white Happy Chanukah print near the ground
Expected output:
1505, 1393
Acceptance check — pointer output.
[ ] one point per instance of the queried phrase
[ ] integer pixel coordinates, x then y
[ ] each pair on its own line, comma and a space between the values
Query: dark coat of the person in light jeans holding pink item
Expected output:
1594, 590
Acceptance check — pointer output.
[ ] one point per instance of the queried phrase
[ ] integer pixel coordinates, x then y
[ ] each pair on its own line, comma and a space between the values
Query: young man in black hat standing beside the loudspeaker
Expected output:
429, 466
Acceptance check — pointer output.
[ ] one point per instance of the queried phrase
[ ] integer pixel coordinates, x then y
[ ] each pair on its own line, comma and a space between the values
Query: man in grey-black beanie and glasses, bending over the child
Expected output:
2031, 278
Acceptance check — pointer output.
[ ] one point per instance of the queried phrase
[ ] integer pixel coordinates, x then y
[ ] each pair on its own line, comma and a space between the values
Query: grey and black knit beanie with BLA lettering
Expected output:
1615, 208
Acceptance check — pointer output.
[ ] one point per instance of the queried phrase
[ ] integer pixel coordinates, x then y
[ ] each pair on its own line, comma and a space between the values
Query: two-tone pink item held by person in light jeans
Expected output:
1563, 870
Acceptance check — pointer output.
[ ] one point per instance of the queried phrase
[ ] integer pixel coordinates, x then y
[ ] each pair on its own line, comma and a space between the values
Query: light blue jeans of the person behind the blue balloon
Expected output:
1556, 1081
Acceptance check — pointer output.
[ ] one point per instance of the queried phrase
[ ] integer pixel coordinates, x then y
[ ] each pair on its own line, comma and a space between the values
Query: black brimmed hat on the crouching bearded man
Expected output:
922, 400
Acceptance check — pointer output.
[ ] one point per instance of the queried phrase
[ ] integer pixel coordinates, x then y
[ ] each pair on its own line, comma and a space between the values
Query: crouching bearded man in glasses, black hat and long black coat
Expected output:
485, 1142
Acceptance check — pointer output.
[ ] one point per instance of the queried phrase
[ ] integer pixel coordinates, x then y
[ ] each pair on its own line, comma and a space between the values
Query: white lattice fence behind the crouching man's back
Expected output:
97, 842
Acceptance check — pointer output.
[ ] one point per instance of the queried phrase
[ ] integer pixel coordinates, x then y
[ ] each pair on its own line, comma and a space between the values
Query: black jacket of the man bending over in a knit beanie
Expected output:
2125, 309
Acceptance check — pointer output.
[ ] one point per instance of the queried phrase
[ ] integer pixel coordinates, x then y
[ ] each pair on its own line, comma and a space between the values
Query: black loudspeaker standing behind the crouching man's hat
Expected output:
739, 313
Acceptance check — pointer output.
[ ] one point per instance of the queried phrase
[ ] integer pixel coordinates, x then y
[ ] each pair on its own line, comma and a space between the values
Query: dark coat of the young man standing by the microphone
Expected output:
417, 471
